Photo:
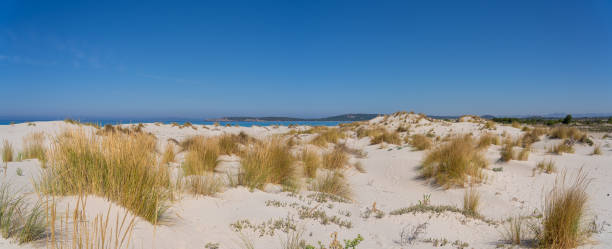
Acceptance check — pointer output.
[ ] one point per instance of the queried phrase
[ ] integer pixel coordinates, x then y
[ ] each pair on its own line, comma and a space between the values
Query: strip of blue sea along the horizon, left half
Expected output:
103, 122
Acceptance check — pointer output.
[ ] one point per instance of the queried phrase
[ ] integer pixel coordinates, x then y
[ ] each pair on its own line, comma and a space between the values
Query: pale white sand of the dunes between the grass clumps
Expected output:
391, 181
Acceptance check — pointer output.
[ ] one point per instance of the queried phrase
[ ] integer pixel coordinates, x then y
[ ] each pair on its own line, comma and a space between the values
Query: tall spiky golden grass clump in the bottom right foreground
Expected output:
563, 224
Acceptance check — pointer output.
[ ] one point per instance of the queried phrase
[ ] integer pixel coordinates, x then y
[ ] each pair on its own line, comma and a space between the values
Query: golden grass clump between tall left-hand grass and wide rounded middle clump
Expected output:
202, 155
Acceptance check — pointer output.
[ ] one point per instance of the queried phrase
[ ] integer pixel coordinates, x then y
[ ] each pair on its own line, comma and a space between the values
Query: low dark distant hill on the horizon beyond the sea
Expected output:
343, 117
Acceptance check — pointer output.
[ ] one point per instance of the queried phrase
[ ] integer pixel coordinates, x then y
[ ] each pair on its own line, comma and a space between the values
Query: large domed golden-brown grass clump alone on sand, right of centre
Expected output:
454, 162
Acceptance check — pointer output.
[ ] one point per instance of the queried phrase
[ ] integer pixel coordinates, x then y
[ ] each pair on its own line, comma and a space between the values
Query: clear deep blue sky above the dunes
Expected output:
304, 58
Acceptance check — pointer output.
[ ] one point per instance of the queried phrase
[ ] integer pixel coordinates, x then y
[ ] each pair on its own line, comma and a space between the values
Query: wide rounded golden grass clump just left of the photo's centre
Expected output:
268, 161
